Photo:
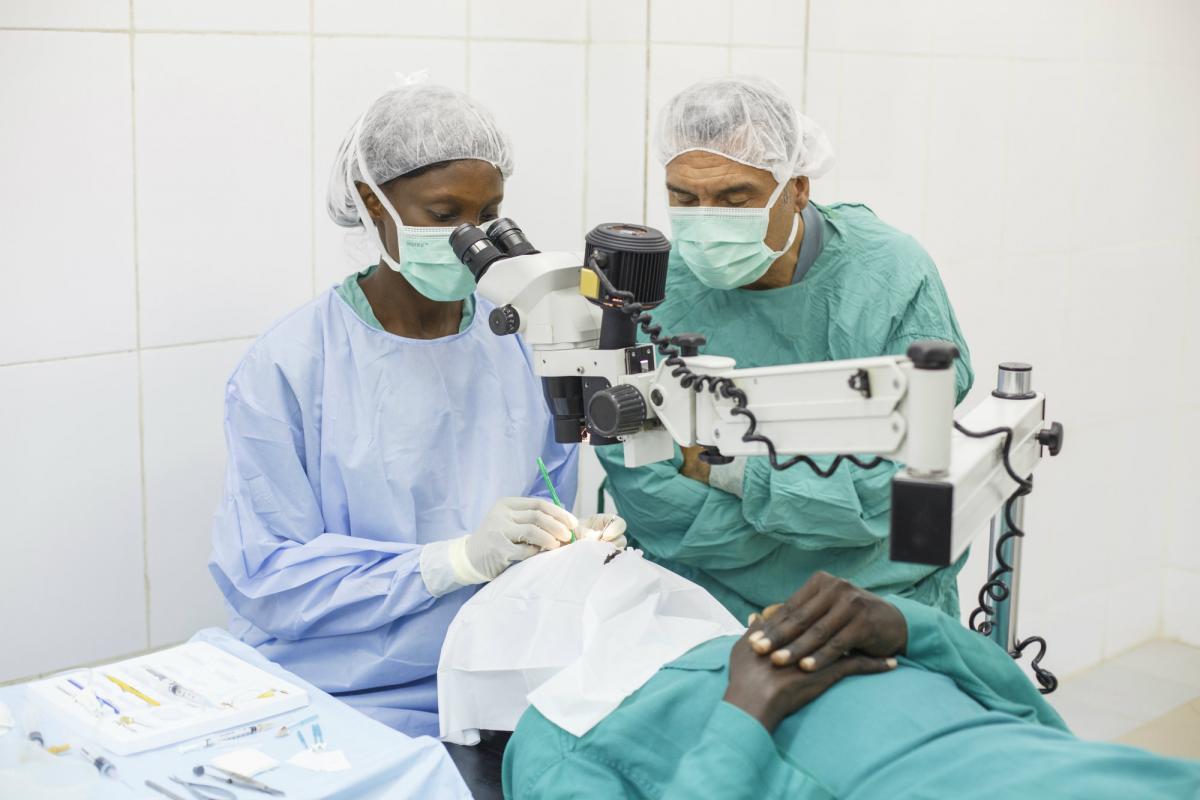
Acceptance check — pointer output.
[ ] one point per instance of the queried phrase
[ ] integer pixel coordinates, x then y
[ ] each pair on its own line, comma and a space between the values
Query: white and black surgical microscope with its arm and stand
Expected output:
580, 315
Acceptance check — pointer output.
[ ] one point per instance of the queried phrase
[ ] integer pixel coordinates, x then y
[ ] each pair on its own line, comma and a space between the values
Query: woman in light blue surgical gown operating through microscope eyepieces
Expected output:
383, 442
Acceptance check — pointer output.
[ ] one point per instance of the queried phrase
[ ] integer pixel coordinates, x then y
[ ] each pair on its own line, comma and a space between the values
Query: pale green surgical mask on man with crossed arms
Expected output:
725, 248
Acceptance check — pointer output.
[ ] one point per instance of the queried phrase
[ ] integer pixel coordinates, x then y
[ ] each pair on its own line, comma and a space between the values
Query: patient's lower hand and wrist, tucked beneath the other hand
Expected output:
770, 694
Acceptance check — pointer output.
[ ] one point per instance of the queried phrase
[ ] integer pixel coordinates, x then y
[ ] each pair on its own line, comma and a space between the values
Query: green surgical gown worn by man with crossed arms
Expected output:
872, 291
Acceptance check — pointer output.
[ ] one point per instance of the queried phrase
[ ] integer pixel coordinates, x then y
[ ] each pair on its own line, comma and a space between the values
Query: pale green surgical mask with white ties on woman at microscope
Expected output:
427, 260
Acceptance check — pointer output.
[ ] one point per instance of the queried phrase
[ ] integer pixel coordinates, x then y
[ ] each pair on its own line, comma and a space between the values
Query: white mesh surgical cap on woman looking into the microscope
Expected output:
409, 129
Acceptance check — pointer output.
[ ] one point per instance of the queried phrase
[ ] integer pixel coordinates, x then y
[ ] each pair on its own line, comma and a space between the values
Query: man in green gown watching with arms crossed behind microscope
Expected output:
770, 278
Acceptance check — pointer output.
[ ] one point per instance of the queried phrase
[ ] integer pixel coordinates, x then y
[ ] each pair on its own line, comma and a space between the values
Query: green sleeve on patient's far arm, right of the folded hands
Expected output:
941, 645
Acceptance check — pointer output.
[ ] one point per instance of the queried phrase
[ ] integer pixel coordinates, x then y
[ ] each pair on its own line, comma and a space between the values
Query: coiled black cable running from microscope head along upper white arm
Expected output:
723, 387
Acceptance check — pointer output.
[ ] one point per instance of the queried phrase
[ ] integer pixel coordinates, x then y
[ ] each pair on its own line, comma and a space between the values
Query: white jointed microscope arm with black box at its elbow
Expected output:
951, 484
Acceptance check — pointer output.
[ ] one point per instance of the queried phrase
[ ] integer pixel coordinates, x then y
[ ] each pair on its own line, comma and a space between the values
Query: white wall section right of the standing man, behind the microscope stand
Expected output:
1039, 153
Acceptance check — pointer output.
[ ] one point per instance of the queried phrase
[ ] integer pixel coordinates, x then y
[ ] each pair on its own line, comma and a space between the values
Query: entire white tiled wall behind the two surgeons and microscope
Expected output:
166, 167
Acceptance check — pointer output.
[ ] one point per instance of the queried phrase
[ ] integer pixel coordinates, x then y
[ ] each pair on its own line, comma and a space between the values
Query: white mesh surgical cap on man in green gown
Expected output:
747, 119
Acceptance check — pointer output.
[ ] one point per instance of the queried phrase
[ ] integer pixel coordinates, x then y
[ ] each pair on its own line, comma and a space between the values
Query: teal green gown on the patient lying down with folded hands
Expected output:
958, 719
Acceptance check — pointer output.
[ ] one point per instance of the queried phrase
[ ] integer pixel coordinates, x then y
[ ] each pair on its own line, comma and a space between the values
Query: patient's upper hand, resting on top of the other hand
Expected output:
826, 619
